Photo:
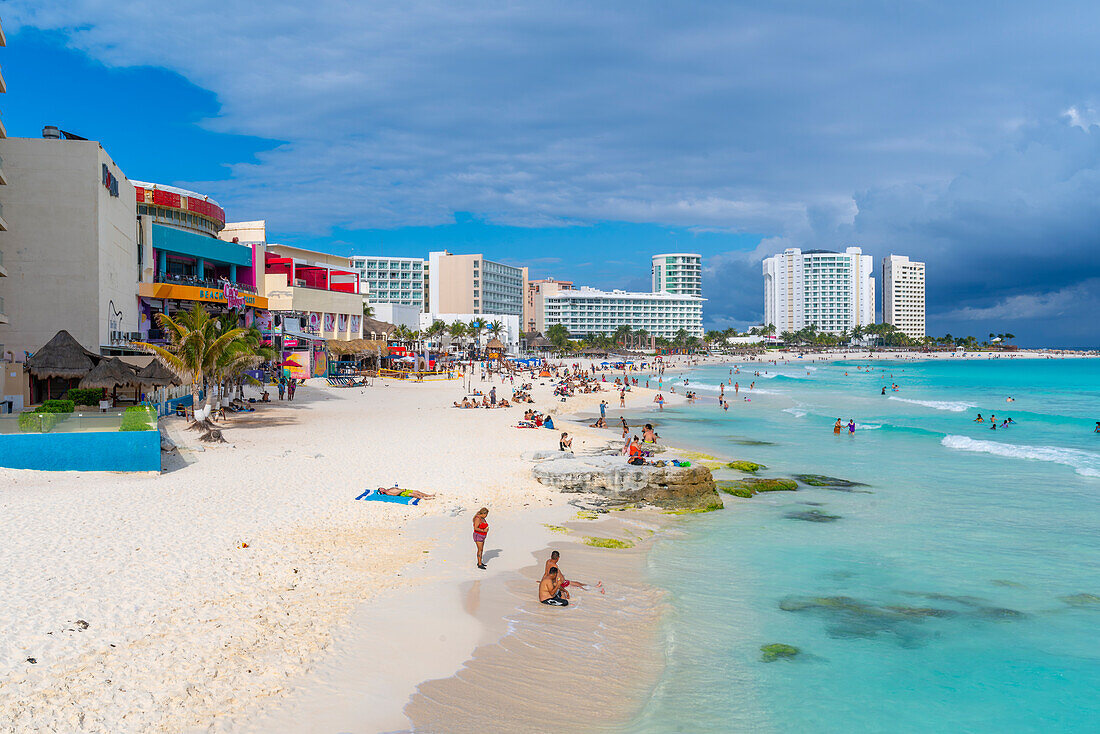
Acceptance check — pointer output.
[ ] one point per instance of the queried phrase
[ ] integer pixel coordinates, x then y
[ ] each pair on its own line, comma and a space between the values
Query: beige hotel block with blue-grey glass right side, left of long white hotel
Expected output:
470, 284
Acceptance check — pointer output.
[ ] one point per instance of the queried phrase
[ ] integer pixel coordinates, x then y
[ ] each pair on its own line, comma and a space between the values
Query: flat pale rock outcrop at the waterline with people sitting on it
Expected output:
611, 477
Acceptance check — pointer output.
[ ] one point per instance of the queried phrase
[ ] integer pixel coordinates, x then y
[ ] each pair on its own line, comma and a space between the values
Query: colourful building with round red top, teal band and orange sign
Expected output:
183, 260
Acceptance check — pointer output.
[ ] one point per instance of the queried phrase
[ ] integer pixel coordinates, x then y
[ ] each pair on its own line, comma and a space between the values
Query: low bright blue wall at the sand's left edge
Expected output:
131, 451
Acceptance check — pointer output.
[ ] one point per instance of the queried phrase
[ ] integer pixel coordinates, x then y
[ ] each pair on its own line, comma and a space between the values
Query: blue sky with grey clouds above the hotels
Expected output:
580, 139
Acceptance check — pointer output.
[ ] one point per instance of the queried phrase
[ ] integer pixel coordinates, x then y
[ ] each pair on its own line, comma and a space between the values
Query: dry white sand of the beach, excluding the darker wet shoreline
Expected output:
185, 629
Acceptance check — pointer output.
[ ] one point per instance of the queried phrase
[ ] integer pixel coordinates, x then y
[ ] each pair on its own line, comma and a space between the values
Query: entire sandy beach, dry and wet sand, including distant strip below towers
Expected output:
245, 589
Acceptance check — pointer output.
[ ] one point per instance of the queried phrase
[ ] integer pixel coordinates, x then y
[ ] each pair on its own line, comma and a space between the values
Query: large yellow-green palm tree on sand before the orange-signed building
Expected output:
195, 347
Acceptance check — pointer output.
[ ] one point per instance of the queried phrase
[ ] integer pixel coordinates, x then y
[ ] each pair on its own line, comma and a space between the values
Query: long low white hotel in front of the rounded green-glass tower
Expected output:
587, 311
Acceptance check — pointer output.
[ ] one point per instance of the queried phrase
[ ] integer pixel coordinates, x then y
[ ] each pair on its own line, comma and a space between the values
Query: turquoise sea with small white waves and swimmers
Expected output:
959, 591
